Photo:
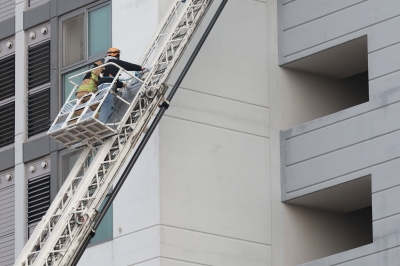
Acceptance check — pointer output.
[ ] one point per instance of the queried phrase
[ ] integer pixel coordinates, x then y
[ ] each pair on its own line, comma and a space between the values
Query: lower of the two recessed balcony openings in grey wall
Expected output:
329, 221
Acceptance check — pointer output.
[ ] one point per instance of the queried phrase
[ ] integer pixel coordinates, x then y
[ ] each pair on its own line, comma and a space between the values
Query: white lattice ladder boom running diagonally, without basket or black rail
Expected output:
70, 217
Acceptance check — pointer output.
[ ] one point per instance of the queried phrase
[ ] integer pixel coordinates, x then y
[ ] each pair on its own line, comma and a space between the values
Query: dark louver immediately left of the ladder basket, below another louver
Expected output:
38, 112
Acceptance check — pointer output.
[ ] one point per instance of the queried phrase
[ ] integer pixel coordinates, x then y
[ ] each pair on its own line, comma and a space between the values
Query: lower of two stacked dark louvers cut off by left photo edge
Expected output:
7, 126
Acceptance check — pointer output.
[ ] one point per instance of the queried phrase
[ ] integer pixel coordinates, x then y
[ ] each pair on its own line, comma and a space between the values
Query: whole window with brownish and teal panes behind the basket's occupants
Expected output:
86, 36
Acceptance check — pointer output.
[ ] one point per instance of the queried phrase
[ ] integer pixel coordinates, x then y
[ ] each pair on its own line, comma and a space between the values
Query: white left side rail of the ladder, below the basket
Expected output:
43, 224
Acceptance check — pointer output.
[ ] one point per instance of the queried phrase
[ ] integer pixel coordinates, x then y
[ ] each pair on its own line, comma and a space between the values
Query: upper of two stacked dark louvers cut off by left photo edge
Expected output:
7, 77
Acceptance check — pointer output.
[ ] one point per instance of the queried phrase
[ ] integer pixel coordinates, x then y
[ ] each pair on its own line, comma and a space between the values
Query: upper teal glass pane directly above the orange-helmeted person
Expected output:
99, 30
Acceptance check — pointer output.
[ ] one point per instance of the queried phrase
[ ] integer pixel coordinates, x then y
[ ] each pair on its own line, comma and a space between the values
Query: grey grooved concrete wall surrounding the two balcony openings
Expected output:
355, 142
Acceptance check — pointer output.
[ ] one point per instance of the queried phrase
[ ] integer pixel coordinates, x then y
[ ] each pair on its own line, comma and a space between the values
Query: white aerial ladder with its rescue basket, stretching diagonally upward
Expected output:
64, 231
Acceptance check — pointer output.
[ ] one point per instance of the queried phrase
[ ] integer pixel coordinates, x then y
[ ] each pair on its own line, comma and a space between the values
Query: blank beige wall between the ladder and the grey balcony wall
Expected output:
214, 149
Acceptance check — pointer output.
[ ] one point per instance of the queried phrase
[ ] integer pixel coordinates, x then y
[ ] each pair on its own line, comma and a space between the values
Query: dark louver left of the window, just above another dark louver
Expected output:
38, 65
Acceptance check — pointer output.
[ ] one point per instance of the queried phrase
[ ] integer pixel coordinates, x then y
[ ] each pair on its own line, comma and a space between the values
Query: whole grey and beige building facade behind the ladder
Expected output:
280, 148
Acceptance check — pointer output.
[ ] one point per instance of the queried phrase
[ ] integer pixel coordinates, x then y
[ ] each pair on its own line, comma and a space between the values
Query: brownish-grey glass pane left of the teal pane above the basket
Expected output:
73, 40
